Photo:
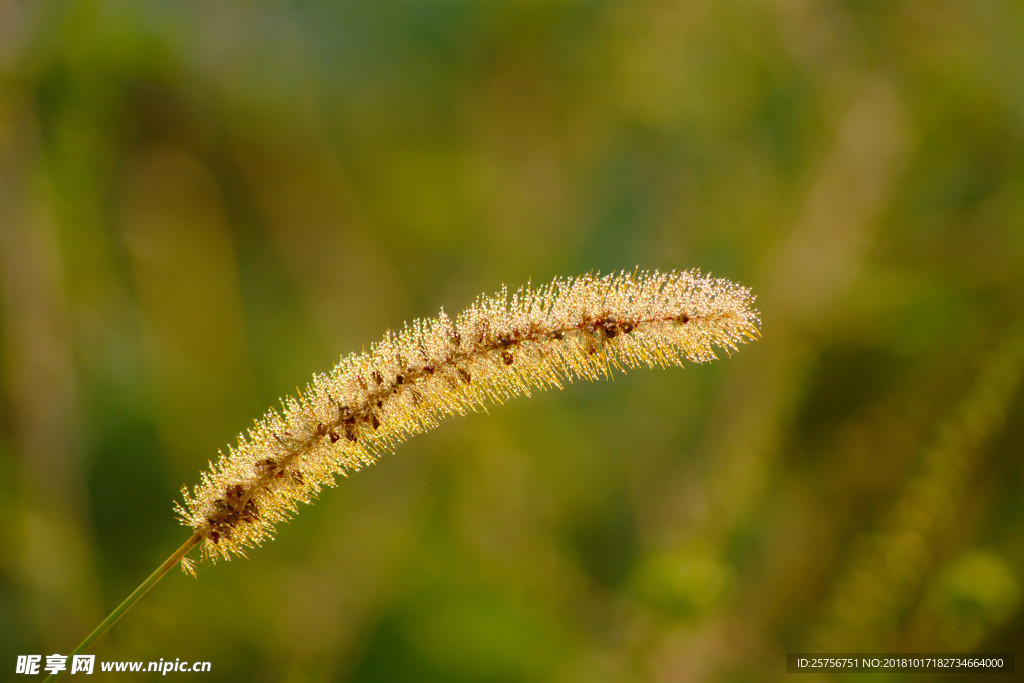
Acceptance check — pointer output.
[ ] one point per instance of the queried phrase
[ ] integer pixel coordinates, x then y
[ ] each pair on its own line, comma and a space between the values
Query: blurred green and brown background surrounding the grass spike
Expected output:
201, 205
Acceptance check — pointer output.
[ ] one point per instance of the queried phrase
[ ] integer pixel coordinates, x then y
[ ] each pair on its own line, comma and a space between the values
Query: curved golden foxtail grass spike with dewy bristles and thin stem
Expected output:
502, 347
